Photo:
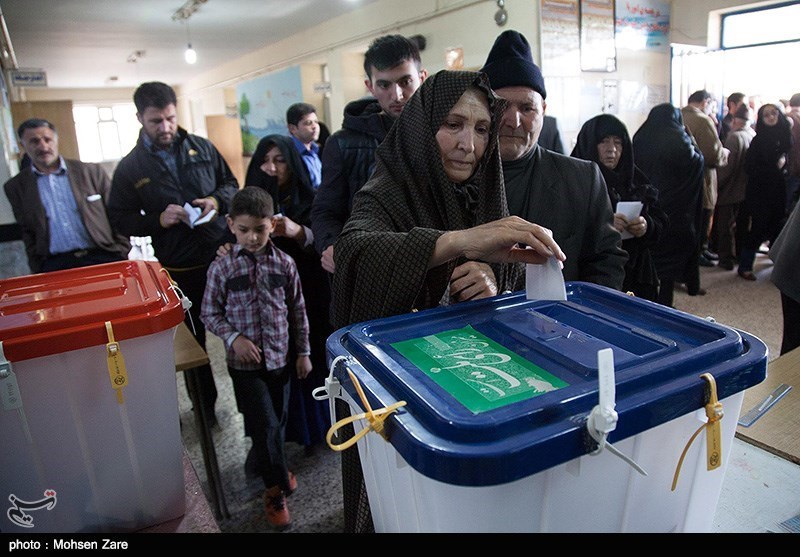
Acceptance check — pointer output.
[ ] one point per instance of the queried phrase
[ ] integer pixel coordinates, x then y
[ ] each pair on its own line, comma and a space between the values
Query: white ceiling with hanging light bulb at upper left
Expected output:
87, 43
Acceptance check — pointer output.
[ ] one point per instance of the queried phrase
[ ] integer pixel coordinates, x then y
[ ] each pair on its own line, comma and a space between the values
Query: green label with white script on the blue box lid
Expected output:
480, 373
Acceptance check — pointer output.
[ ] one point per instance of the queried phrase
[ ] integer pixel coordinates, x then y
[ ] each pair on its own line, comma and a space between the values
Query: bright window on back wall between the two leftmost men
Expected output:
105, 133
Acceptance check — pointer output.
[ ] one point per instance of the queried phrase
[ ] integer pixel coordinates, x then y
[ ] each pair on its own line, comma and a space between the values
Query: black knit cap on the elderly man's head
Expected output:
510, 63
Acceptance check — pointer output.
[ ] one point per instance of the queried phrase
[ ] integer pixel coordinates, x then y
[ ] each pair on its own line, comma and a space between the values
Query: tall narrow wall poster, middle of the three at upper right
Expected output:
598, 49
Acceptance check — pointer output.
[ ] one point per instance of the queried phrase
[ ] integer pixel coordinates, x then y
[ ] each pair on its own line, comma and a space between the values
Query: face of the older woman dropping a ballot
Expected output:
464, 135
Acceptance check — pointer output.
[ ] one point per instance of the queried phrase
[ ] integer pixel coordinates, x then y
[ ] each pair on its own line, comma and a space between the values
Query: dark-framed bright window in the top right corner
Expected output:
774, 24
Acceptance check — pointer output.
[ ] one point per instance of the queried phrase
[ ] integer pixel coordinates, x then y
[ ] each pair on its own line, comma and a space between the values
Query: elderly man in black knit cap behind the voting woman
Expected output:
561, 193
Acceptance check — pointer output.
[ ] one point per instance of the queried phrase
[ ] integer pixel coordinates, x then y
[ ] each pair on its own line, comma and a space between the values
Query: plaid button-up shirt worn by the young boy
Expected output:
260, 297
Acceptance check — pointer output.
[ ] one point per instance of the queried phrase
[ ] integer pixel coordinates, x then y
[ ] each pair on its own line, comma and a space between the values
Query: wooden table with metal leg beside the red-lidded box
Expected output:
188, 355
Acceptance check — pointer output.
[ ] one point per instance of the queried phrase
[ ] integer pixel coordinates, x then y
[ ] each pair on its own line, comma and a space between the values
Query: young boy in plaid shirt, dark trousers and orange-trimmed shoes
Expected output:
254, 302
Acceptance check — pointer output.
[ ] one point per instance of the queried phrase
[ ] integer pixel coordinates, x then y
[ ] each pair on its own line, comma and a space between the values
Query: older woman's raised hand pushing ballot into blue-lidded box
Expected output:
508, 240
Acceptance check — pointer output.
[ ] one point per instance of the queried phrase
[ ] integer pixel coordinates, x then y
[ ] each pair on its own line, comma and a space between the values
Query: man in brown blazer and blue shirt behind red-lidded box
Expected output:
60, 205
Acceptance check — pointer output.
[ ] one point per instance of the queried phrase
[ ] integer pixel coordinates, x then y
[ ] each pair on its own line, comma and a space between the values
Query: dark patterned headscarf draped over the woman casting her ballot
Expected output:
383, 252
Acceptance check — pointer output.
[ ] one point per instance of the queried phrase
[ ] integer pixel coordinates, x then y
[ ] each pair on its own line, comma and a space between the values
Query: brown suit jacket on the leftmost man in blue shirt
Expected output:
86, 180
